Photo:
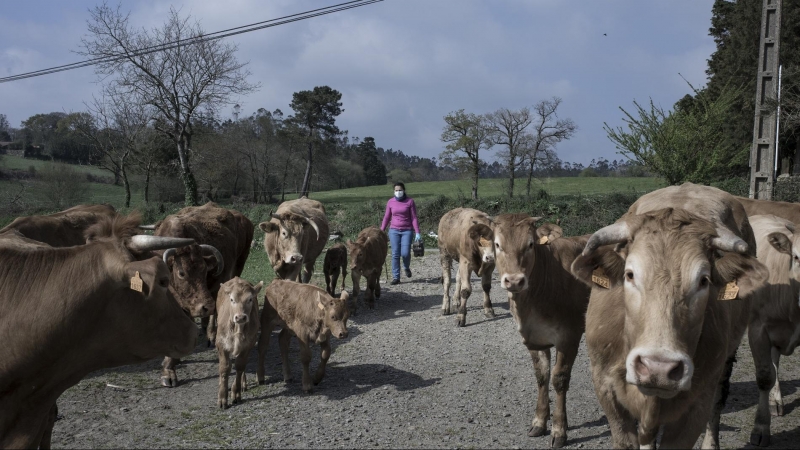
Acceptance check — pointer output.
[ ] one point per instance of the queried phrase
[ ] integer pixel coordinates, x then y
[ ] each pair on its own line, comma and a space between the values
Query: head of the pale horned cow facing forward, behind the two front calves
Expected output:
286, 237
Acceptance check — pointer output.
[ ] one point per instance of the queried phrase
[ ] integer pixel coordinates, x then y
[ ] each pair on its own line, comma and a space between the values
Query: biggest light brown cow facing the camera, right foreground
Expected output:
671, 286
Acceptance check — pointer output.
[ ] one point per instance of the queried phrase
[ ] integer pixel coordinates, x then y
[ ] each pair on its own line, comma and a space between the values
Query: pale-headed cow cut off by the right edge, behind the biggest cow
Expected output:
775, 317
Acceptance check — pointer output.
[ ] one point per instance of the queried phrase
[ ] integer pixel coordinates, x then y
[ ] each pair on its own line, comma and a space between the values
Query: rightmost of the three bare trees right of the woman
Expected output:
548, 130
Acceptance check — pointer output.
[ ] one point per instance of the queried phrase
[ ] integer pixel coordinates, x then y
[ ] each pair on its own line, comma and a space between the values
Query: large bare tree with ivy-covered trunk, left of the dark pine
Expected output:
188, 75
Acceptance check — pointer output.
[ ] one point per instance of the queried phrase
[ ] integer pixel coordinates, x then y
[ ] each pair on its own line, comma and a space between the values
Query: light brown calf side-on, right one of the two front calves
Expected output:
310, 314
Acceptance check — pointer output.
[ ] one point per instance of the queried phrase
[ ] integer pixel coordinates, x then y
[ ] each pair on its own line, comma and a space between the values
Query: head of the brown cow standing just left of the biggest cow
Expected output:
514, 241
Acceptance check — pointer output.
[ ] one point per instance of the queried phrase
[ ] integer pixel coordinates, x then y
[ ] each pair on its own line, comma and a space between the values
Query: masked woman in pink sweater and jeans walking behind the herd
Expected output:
401, 217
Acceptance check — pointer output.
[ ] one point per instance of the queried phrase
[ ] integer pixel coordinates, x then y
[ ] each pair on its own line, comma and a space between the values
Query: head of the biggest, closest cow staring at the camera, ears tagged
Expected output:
668, 265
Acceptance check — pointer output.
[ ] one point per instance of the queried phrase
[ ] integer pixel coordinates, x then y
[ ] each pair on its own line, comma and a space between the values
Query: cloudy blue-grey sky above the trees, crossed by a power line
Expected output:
402, 65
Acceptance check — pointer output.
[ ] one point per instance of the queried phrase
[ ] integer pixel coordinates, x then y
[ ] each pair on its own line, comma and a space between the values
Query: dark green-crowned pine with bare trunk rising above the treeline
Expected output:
315, 111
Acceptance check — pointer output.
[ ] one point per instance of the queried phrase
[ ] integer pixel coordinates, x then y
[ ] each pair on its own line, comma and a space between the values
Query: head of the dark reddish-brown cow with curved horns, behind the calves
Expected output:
190, 267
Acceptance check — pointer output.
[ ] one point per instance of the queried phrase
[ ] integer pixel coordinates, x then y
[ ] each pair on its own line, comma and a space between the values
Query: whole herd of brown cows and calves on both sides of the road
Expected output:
664, 296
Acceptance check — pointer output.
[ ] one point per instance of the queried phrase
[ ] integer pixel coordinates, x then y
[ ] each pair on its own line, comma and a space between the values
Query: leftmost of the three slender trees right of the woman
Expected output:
466, 134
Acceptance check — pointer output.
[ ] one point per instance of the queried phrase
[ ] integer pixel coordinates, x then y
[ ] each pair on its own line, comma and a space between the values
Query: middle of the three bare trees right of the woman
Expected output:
507, 127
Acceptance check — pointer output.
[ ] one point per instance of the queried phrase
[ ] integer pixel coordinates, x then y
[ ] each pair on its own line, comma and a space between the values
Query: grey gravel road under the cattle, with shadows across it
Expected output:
405, 377
